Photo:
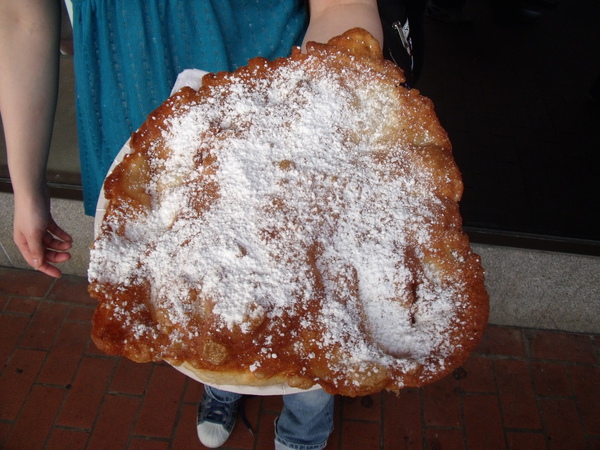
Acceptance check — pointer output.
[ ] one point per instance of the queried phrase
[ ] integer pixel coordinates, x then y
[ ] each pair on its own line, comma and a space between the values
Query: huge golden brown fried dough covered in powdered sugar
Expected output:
296, 222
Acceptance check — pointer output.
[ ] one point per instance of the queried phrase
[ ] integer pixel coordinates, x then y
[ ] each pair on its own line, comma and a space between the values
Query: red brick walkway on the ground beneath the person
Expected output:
522, 389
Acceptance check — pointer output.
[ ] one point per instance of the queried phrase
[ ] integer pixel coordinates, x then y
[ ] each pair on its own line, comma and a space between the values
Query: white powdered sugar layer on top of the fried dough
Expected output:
304, 209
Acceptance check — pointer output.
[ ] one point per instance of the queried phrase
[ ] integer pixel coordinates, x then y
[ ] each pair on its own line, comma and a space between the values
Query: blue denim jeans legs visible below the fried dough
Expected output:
305, 422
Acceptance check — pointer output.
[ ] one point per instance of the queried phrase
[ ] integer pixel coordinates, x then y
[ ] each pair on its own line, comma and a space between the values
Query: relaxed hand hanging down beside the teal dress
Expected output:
40, 240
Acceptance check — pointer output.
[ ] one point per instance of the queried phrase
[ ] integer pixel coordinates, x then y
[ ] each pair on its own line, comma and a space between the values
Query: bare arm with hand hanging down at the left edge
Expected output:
29, 40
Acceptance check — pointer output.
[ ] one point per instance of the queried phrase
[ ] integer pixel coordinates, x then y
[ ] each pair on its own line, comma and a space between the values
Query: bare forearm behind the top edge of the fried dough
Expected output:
330, 18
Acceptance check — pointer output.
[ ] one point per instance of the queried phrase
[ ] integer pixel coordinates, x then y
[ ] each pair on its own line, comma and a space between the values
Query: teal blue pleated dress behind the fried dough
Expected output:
128, 54
